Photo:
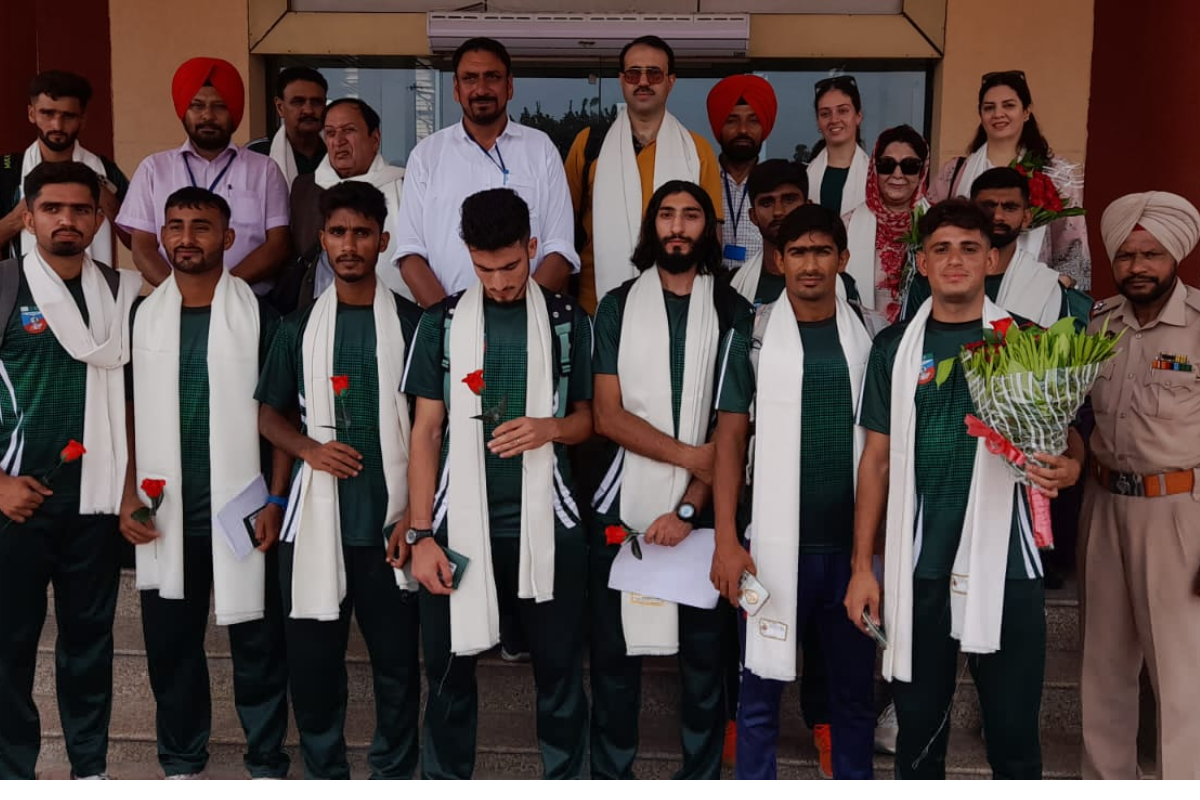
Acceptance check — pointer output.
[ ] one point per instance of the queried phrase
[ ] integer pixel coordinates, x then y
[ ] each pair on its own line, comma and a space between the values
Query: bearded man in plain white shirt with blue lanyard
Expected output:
485, 151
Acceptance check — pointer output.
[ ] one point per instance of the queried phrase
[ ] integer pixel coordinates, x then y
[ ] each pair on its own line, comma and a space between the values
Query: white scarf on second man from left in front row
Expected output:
238, 587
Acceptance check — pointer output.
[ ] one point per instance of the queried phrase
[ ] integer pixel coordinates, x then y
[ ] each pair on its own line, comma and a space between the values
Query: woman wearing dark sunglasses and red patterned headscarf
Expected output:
879, 228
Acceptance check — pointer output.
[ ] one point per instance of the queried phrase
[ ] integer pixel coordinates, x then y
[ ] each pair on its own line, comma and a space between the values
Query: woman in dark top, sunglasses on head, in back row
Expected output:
838, 171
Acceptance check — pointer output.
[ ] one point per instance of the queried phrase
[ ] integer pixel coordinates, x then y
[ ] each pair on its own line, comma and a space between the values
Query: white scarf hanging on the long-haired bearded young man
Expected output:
651, 489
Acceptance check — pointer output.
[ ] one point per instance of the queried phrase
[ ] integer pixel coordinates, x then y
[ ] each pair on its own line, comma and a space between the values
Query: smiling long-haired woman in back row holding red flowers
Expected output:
1009, 134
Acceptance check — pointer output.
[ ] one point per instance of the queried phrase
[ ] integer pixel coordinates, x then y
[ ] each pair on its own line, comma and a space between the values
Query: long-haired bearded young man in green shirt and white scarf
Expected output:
657, 341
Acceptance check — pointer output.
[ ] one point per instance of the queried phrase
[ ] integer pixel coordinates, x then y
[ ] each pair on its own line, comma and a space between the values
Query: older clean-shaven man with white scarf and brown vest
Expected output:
352, 137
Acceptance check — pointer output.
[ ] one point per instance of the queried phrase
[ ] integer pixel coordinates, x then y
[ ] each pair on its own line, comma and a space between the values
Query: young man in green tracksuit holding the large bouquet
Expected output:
919, 473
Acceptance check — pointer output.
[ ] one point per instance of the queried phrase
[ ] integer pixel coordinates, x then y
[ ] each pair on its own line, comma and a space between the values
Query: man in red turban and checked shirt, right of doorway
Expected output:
742, 112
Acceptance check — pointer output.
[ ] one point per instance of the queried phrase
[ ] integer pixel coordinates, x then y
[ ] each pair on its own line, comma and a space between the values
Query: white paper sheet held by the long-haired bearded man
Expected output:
677, 574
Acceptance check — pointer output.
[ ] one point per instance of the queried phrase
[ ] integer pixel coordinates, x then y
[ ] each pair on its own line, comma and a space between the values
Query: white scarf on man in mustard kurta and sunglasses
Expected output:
617, 199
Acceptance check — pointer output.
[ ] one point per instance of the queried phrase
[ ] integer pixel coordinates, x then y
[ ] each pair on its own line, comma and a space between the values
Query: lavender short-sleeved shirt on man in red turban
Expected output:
253, 185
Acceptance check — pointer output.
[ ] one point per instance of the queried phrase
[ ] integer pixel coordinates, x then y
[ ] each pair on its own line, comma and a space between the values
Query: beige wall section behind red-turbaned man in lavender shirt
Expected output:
151, 40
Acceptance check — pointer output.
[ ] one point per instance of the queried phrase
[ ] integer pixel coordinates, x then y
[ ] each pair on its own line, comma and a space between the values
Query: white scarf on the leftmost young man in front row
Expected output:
104, 345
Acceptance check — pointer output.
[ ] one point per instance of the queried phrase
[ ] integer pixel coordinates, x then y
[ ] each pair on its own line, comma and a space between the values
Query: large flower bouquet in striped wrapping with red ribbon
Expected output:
1028, 386
